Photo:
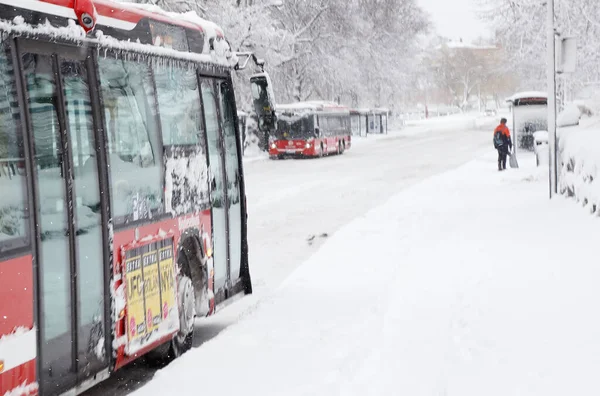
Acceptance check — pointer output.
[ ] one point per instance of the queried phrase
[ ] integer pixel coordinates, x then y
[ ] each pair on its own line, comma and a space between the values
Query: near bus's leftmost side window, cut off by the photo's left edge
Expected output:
14, 229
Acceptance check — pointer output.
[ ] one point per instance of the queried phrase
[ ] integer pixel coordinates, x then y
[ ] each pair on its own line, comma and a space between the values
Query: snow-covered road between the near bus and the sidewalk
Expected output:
292, 200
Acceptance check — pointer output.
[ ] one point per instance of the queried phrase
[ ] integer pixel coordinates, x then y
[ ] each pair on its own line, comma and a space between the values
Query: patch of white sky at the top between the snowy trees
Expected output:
455, 18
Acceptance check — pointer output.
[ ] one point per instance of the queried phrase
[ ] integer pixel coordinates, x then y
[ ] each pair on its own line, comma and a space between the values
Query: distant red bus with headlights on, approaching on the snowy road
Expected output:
310, 129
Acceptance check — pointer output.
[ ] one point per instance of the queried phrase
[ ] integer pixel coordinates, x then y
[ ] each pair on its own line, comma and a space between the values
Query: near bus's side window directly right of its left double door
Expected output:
134, 152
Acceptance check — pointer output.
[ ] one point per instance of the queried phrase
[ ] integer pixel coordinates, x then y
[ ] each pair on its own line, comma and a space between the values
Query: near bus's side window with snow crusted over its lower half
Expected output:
183, 133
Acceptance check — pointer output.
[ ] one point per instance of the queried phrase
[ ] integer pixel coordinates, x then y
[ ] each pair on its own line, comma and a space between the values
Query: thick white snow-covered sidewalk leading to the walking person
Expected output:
471, 283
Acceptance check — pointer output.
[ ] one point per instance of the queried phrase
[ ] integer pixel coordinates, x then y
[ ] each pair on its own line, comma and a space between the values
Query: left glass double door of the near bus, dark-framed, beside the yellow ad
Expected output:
70, 249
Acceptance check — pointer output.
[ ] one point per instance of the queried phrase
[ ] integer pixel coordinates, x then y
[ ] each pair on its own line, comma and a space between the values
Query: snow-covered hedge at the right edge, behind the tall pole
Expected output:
579, 161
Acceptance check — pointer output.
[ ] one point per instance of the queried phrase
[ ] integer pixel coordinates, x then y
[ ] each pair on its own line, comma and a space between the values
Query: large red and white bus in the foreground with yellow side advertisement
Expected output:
122, 201
